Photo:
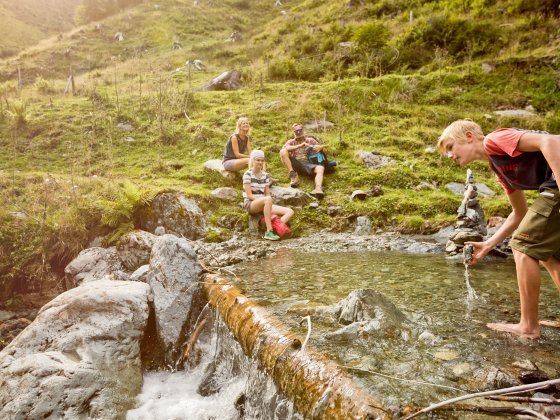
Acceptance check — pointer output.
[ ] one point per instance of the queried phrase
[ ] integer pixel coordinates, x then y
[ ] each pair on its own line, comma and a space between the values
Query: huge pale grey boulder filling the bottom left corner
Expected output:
80, 358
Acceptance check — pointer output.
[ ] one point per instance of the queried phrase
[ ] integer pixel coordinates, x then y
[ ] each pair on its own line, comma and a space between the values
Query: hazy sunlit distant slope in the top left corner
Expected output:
25, 22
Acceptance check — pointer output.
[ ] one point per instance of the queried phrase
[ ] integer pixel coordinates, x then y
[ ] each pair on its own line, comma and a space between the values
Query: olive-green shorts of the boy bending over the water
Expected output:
538, 234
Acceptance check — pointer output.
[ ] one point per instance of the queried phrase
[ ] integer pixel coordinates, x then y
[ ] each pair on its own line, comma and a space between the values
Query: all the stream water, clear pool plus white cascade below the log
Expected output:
443, 350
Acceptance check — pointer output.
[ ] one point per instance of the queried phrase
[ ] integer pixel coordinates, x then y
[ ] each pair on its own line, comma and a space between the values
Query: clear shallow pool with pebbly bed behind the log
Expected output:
434, 294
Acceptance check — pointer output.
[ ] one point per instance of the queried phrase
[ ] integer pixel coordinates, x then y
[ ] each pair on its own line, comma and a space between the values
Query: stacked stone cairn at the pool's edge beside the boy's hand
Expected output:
471, 225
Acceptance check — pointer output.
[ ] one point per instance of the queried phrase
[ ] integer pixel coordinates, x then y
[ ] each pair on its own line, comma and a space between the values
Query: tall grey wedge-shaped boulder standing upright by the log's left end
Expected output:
173, 277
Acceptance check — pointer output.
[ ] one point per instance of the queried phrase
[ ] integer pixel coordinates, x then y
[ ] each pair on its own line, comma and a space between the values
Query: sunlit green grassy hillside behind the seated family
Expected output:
67, 165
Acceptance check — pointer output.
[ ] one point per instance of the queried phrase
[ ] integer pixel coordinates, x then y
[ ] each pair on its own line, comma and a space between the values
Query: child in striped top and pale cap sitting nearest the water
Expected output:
256, 194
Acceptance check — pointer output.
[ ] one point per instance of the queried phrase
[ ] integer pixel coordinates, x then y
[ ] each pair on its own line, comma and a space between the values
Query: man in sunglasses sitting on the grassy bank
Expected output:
294, 157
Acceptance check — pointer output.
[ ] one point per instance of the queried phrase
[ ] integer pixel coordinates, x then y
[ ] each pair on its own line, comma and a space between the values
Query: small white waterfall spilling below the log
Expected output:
225, 385
